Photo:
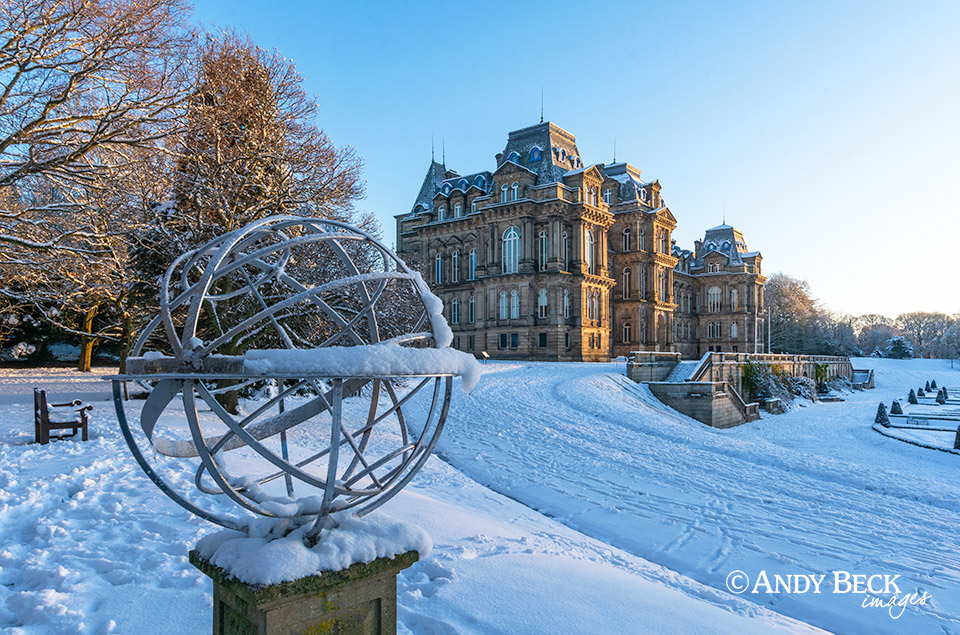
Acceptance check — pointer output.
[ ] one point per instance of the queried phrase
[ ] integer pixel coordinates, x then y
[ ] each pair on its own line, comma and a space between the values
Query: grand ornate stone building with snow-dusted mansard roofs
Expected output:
548, 258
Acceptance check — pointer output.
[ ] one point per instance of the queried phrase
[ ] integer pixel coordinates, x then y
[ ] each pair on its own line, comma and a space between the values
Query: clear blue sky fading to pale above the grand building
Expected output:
829, 132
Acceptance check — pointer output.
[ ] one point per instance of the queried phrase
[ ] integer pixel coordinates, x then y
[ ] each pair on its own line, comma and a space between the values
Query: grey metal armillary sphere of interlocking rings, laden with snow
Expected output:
264, 334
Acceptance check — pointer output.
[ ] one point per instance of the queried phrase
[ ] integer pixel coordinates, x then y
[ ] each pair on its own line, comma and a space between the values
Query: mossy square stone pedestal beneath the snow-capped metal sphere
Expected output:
361, 599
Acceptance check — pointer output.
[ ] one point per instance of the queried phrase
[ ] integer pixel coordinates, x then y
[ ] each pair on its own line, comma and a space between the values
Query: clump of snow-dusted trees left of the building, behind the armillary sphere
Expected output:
126, 138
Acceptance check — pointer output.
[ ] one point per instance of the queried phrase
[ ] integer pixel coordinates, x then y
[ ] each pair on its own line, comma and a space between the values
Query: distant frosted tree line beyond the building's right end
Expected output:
801, 325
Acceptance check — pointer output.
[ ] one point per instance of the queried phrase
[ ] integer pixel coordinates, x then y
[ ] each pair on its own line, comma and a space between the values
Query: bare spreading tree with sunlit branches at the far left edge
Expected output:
90, 90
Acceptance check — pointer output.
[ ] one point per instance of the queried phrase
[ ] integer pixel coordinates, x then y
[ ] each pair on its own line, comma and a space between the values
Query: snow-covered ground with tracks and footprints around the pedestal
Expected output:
645, 514
